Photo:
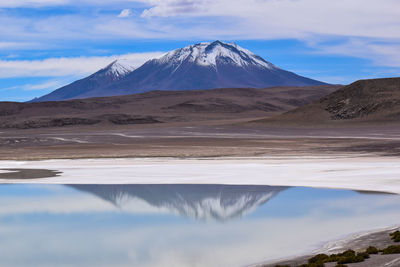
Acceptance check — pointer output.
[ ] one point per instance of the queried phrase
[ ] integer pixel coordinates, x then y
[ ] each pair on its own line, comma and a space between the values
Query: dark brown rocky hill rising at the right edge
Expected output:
376, 100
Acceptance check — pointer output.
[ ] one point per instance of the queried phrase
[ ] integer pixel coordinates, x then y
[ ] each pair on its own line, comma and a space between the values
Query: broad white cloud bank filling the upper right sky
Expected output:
308, 20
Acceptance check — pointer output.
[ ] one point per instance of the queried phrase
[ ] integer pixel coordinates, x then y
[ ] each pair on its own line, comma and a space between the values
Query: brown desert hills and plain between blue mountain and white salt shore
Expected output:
212, 123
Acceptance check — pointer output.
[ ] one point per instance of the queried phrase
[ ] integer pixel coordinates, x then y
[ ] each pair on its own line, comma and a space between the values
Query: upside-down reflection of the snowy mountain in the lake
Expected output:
200, 202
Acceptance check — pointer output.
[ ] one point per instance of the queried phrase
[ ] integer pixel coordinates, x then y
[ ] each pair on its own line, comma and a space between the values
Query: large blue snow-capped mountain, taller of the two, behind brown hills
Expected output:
198, 66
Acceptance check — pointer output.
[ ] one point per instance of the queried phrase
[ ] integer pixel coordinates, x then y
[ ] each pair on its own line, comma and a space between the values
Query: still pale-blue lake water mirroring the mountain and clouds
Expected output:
178, 225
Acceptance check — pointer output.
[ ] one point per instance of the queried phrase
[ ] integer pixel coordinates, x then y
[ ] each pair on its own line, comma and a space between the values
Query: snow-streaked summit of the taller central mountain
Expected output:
215, 53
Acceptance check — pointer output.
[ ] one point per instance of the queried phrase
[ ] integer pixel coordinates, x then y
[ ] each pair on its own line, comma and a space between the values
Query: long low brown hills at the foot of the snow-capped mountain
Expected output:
161, 107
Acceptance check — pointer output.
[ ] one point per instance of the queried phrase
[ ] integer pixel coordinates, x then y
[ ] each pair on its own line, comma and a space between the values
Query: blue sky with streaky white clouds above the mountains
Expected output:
45, 44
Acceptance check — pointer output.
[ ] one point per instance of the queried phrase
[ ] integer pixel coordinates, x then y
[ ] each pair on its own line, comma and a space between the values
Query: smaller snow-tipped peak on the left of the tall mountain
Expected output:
102, 78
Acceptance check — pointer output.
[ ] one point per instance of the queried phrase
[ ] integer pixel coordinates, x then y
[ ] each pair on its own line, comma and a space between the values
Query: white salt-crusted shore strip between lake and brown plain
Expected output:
358, 172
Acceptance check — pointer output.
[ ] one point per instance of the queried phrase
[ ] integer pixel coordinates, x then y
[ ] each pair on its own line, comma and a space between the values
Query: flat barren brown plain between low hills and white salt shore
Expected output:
201, 139
